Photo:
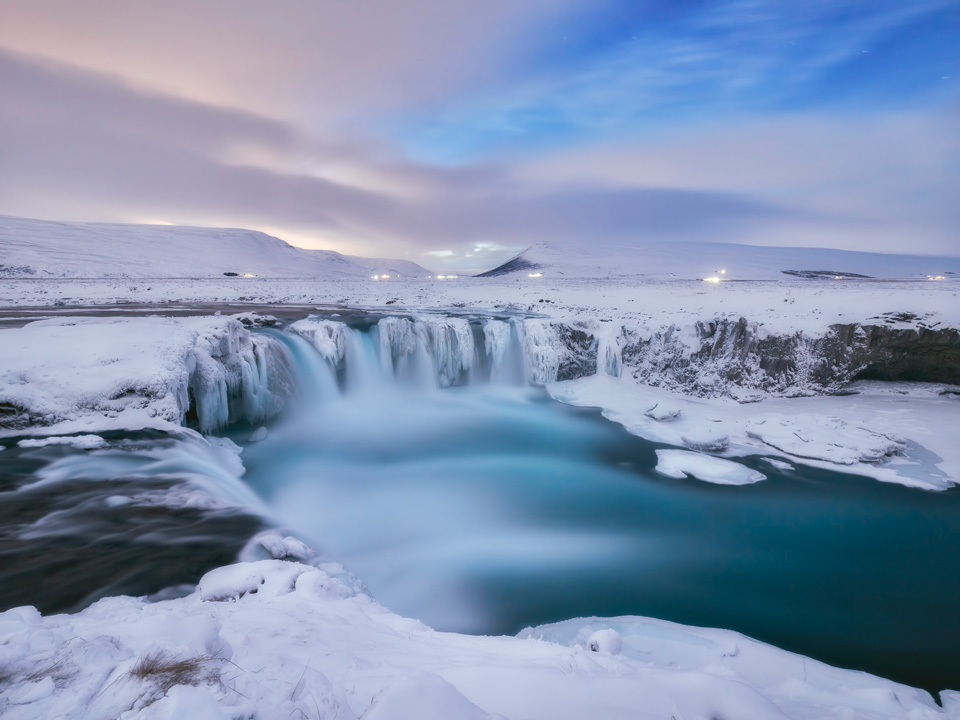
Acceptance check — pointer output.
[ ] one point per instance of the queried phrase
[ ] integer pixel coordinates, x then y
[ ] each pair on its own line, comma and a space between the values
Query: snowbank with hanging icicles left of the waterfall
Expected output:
94, 374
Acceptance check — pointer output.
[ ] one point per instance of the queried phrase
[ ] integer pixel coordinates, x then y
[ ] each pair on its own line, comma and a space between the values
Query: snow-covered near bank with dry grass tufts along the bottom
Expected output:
275, 639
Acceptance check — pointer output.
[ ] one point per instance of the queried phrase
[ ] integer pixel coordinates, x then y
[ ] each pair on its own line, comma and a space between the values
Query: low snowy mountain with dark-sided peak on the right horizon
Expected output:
692, 260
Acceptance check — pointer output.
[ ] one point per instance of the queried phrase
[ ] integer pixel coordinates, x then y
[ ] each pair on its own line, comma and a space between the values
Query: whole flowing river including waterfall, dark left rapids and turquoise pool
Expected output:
485, 507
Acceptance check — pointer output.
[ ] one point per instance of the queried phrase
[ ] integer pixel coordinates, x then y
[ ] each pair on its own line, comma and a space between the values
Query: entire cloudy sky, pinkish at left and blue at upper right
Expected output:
456, 133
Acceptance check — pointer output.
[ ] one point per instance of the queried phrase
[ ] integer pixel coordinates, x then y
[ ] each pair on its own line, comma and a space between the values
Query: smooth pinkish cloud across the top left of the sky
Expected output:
313, 61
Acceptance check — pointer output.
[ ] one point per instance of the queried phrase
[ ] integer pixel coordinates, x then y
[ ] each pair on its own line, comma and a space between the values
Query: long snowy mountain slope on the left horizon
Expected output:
45, 249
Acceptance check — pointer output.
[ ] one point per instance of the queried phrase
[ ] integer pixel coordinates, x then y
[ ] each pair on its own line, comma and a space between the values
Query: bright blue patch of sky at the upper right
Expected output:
625, 68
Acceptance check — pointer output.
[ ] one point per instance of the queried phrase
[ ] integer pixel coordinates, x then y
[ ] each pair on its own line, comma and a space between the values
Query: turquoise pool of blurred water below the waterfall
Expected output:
487, 509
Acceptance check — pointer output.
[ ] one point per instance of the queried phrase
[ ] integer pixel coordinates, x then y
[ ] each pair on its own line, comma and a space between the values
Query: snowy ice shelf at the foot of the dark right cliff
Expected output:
893, 432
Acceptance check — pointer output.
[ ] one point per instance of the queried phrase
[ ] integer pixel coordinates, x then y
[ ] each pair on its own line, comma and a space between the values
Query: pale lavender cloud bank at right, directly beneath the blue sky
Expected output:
883, 182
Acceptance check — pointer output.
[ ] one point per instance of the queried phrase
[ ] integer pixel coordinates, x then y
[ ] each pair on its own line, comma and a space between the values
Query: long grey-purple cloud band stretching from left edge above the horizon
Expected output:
75, 145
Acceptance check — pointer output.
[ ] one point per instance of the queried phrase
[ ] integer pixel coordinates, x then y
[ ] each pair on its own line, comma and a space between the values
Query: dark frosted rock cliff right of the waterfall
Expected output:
737, 358
